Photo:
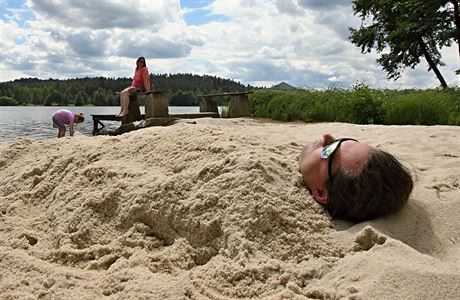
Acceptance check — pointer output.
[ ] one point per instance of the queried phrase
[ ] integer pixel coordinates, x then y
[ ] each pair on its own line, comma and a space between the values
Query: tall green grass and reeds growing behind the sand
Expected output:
359, 105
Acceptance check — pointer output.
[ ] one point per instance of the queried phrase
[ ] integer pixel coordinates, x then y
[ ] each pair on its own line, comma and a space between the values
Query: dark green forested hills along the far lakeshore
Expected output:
184, 90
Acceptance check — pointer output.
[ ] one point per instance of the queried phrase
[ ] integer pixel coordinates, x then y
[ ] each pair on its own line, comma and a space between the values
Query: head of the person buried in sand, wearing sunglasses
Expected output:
353, 180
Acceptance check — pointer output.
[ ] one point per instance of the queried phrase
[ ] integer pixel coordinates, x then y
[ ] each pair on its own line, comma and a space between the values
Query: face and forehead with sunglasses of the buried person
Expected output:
350, 155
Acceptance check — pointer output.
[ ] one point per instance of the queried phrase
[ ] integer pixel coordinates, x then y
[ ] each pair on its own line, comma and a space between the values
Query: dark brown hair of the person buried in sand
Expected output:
382, 187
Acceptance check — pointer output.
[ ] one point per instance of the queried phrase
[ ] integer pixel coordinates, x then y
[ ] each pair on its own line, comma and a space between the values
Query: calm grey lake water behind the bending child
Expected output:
35, 121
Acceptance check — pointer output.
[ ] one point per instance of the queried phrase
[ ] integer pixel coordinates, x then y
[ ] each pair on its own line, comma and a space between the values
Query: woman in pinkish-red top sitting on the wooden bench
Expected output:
140, 83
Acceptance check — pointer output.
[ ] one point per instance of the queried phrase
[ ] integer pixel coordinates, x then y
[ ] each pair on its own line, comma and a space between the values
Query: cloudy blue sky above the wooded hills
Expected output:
304, 43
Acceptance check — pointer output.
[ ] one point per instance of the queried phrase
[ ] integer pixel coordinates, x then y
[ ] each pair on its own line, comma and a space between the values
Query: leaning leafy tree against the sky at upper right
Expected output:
406, 30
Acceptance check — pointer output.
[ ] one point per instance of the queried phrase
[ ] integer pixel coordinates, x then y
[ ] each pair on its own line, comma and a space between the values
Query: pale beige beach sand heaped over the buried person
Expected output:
217, 210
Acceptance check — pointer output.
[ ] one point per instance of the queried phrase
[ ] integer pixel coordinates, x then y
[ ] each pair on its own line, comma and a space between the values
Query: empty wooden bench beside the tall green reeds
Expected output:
238, 104
